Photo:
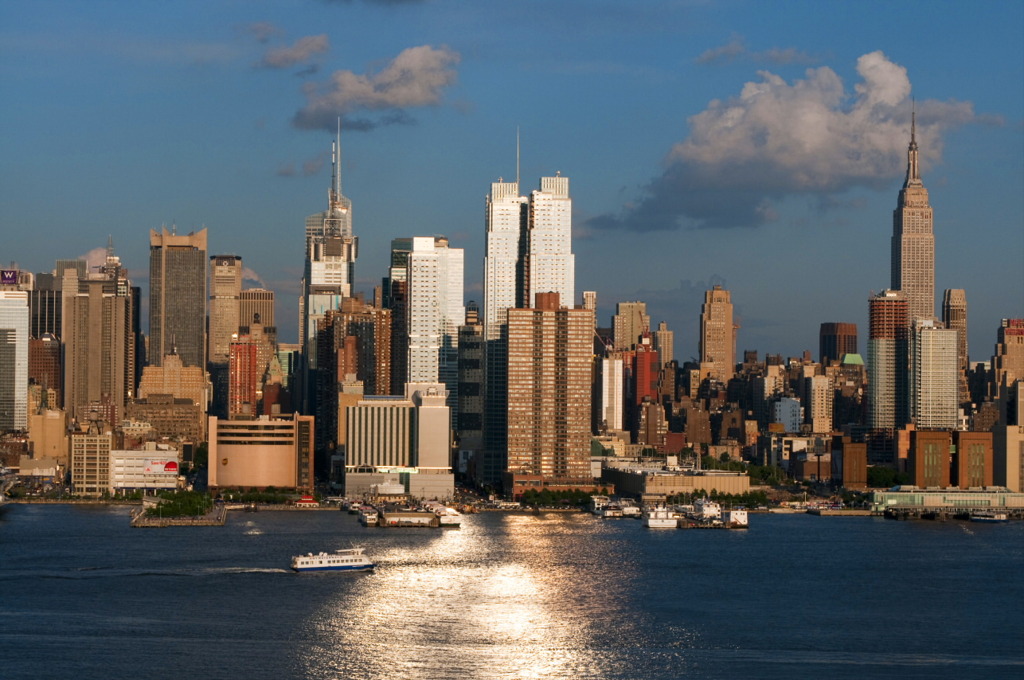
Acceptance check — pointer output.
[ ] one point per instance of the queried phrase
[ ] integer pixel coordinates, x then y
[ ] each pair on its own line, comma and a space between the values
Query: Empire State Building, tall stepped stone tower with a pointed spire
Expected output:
914, 240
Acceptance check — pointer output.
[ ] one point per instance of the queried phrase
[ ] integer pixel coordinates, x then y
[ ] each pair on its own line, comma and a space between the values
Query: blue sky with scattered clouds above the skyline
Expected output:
760, 146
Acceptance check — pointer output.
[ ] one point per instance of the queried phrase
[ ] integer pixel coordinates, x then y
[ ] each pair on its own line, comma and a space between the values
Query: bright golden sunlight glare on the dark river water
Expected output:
496, 605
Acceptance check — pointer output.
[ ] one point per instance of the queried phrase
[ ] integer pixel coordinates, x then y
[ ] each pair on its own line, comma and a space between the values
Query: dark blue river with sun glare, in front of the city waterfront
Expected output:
84, 597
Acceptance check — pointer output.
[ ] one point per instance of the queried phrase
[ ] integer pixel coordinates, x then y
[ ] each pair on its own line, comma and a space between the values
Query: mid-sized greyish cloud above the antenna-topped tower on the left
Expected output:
417, 77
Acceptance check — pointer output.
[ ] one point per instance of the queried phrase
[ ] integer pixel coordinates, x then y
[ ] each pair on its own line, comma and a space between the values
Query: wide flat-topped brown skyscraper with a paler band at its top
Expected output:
178, 296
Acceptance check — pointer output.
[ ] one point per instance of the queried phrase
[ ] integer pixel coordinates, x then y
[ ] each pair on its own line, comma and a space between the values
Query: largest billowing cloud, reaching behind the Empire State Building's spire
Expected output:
777, 140
